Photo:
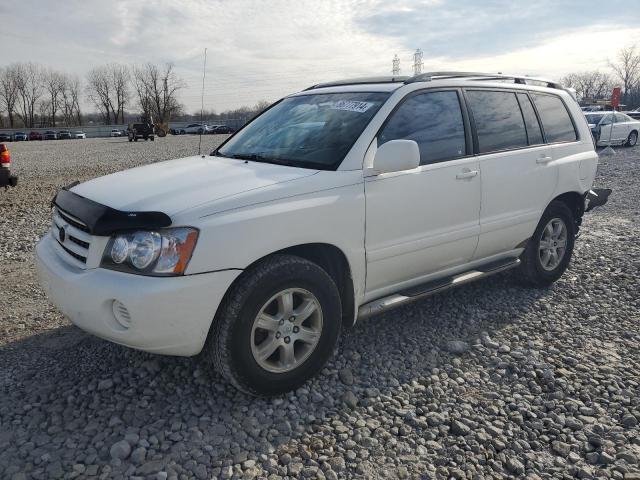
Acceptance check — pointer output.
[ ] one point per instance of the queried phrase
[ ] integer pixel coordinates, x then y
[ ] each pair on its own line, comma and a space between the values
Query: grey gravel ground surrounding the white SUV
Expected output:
487, 381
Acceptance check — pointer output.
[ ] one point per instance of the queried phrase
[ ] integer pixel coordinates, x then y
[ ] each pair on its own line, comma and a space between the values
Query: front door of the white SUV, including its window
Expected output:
424, 220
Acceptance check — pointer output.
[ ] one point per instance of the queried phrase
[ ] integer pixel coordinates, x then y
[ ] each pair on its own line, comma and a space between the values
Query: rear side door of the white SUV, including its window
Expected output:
517, 168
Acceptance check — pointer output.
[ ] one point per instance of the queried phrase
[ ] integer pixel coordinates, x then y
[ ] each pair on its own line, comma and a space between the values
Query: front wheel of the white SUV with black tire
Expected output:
232, 344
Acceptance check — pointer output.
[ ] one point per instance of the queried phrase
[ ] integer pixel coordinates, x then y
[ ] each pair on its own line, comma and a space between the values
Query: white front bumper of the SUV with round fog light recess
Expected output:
167, 315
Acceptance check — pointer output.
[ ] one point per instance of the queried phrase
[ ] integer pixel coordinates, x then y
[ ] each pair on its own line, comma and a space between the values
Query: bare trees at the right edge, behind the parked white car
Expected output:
624, 72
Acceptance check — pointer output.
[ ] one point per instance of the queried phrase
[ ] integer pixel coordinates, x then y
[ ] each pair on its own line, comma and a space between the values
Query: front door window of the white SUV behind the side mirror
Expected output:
434, 121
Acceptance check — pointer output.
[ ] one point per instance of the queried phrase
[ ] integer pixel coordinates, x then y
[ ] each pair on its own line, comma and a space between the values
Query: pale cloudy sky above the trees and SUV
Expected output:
263, 50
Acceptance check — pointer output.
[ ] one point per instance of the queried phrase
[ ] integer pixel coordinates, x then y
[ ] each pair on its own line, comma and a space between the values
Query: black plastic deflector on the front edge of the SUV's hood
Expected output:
102, 220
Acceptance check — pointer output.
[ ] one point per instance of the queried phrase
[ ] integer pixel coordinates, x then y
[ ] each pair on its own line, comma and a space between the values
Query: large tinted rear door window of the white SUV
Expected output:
498, 120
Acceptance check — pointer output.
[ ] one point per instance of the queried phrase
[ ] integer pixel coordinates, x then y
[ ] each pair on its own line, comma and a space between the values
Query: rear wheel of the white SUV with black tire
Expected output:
533, 269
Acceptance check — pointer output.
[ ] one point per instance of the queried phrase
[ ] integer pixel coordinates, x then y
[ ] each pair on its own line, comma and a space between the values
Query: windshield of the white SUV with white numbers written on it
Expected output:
309, 131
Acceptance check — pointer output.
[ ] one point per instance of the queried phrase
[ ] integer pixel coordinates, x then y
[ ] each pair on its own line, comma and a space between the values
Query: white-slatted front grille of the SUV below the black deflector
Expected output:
72, 236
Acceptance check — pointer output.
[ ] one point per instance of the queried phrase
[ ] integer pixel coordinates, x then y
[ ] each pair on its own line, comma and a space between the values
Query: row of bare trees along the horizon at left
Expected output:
35, 96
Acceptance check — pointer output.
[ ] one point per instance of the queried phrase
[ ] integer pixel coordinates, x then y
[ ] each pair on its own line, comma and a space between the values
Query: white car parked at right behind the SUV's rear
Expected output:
625, 129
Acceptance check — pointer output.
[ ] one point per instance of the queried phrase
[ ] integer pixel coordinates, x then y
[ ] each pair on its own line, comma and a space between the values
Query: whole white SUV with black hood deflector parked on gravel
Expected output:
337, 202
